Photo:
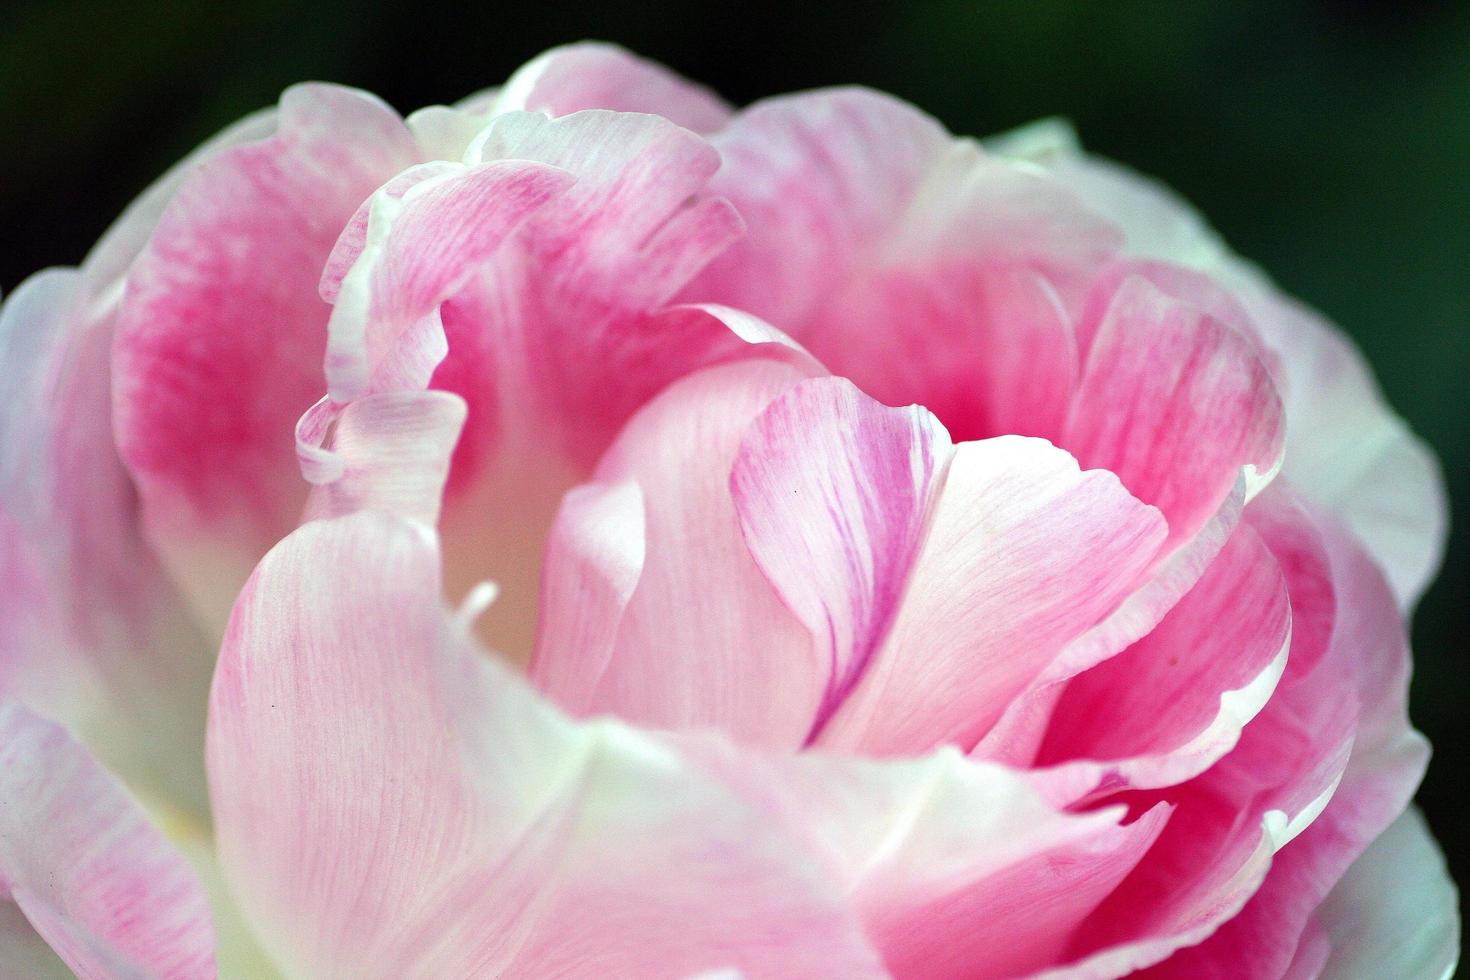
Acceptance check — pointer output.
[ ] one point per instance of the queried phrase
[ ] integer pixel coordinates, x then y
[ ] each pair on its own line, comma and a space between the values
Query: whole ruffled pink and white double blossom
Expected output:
590, 531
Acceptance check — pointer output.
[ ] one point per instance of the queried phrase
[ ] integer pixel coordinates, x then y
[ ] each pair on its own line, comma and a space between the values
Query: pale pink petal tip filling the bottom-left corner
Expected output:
95, 879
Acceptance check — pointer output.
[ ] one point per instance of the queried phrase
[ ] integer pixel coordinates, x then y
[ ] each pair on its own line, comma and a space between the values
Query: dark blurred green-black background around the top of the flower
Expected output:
1327, 140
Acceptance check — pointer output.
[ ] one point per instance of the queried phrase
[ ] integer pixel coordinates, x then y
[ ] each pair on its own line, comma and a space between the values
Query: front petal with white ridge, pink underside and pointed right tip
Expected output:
956, 868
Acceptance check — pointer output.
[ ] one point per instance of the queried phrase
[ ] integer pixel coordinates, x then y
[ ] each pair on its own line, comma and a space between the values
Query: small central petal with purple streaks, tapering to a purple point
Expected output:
833, 493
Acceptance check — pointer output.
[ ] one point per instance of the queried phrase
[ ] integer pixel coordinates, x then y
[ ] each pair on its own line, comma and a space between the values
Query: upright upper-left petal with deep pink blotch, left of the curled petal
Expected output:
221, 333
